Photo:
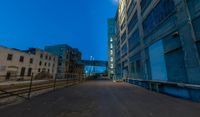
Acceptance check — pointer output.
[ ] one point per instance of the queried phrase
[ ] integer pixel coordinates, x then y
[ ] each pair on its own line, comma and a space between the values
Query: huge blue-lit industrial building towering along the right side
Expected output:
158, 45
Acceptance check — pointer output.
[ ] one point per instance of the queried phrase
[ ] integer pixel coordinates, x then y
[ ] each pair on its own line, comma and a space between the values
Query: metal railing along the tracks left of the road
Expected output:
25, 88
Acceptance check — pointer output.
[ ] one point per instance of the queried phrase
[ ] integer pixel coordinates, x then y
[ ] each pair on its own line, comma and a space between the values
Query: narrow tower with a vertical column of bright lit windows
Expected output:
111, 46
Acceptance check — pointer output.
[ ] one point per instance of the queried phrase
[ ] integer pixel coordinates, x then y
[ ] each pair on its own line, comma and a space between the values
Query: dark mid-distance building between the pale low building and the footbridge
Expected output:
69, 60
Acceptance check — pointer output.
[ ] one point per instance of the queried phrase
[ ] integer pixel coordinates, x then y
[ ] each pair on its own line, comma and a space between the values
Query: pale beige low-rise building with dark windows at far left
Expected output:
18, 65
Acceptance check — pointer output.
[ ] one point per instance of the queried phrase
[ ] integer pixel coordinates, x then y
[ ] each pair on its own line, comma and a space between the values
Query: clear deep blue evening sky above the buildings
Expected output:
36, 23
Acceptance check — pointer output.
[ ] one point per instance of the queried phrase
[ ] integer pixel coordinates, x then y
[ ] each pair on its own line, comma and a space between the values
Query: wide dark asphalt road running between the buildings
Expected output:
103, 98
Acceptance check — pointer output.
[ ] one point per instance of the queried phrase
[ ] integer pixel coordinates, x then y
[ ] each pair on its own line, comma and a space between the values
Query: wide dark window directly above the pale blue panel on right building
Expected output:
162, 10
